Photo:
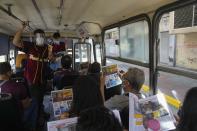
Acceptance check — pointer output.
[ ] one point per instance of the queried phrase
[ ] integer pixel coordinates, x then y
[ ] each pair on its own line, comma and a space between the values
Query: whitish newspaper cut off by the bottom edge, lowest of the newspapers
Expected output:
62, 125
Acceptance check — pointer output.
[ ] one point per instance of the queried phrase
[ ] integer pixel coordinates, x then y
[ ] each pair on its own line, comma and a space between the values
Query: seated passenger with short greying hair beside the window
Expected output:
133, 81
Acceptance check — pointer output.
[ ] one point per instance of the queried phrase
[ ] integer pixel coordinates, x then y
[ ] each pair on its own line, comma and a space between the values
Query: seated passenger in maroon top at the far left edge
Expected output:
19, 92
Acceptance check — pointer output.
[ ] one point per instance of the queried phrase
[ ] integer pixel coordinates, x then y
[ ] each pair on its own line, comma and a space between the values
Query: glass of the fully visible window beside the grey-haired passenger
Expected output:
133, 48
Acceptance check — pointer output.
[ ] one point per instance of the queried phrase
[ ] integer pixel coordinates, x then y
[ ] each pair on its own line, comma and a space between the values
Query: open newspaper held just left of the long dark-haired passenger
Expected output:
61, 100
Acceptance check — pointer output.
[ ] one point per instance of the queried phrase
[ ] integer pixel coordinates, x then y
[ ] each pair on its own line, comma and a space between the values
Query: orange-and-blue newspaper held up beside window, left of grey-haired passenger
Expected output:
111, 76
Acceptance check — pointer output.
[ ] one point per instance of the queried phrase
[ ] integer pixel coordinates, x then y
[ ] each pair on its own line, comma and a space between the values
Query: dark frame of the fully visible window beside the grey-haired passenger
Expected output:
137, 18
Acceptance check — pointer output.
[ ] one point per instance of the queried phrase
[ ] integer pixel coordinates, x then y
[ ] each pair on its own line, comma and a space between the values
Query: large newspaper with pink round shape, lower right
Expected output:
150, 114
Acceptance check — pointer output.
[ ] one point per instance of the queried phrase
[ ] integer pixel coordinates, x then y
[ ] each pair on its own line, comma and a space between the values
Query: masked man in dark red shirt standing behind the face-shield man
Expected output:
59, 48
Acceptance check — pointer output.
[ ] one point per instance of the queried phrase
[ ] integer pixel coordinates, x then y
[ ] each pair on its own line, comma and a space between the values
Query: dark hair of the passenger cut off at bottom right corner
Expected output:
188, 116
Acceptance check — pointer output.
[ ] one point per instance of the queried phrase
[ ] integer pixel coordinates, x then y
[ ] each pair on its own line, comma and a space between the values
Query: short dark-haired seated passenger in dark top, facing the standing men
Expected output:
66, 75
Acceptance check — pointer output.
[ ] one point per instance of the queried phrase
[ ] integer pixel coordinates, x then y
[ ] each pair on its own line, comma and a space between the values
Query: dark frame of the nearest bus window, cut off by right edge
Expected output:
155, 40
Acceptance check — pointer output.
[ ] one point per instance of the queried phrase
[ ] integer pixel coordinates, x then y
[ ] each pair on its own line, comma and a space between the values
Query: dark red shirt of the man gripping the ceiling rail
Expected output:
36, 62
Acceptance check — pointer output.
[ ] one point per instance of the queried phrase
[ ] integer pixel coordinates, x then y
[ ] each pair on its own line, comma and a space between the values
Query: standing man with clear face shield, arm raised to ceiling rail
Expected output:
38, 55
